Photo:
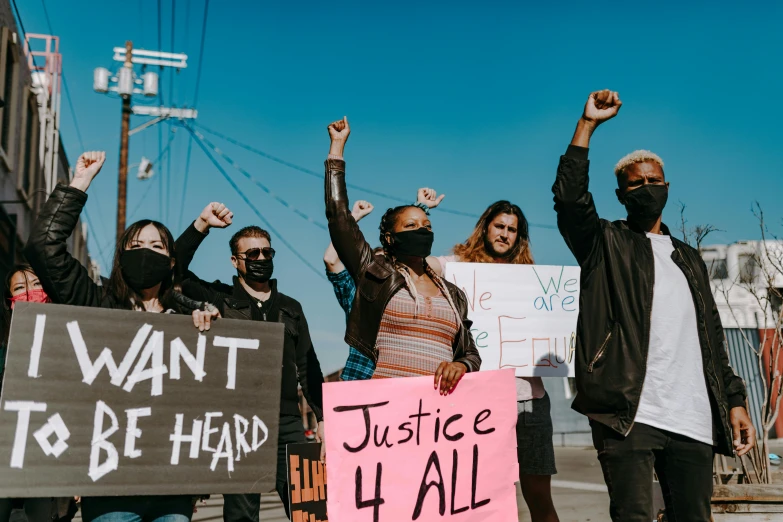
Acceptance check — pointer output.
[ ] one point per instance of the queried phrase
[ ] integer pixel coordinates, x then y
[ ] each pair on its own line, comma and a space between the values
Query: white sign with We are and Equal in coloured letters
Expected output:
524, 316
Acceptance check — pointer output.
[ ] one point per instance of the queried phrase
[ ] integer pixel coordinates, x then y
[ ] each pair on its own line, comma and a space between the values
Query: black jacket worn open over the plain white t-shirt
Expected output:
615, 304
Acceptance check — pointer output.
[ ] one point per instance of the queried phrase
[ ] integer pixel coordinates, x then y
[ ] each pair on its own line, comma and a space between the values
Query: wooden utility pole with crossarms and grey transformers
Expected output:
125, 80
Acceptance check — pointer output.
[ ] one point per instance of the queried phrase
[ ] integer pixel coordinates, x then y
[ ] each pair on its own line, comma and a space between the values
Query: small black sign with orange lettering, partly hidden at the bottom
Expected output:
306, 483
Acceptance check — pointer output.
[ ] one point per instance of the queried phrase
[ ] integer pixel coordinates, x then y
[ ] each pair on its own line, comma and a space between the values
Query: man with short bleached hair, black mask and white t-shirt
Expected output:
652, 372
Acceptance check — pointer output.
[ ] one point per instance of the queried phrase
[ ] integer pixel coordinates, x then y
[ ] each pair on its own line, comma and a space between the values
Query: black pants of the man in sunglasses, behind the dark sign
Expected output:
245, 508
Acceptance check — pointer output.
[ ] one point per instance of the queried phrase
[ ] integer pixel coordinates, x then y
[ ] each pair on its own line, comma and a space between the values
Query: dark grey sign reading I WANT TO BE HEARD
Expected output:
102, 402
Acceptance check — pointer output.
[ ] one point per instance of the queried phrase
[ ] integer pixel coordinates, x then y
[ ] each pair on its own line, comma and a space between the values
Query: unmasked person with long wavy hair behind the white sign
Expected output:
501, 236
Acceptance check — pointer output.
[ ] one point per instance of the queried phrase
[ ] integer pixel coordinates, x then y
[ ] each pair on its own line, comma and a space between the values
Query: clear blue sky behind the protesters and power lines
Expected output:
474, 99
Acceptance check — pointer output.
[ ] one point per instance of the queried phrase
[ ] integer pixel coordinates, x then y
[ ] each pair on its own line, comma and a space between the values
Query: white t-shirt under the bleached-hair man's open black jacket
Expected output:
674, 395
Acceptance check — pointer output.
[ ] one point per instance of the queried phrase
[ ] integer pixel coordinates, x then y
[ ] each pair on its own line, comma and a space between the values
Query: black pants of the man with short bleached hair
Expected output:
683, 465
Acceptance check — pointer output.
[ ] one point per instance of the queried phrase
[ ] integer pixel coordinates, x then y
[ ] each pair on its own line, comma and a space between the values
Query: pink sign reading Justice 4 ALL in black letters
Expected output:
398, 450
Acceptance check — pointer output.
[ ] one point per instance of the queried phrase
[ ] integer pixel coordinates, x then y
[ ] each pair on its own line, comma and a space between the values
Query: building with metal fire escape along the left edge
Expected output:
32, 159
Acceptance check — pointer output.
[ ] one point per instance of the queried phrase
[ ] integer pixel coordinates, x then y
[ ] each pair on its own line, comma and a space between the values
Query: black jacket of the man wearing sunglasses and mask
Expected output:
300, 363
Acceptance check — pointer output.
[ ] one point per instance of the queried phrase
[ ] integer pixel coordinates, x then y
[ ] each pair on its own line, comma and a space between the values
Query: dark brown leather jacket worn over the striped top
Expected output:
376, 278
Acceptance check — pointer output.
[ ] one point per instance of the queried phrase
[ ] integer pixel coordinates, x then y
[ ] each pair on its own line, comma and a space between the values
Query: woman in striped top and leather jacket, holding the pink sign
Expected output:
406, 318
